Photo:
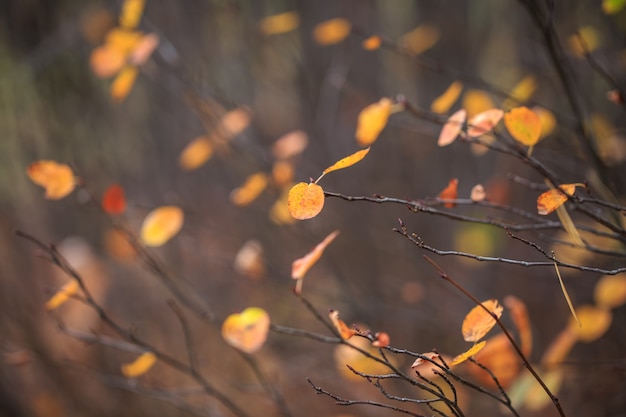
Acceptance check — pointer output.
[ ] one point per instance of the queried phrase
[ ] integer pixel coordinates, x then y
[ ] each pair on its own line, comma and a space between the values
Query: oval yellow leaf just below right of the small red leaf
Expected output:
161, 224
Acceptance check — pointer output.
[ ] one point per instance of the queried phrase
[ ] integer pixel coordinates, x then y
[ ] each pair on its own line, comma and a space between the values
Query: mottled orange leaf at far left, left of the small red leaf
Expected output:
57, 179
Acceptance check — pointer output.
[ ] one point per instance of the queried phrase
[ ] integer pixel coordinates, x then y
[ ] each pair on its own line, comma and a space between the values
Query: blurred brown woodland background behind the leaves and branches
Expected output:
52, 106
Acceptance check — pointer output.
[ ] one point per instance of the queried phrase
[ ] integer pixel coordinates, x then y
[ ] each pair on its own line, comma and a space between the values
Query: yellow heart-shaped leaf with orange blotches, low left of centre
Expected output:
247, 331
